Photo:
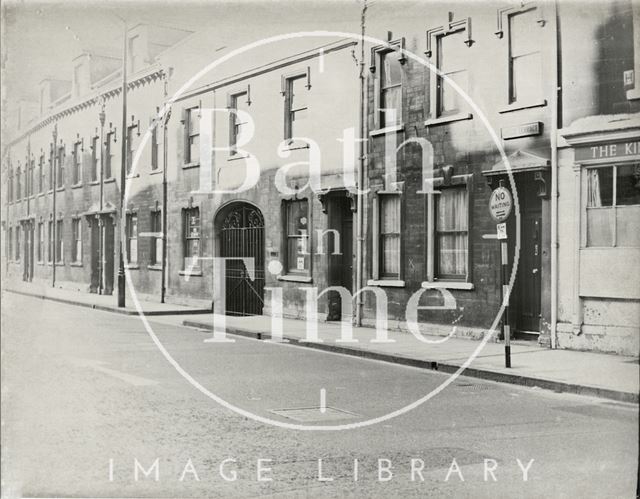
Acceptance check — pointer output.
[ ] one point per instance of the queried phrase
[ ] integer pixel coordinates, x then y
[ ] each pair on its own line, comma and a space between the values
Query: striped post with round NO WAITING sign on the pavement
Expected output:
500, 205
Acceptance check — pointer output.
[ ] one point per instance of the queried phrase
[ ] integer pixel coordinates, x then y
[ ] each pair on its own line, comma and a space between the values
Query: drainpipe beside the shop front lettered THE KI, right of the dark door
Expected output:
554, 176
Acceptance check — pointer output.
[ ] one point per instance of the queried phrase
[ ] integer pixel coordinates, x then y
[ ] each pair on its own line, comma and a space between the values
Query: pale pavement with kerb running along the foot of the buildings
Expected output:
607, 376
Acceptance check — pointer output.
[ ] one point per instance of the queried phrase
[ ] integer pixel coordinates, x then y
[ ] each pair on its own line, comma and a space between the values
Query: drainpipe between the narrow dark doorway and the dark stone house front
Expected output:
361, 175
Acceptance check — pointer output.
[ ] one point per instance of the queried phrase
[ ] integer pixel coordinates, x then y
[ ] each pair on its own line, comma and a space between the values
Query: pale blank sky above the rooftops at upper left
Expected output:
41, 38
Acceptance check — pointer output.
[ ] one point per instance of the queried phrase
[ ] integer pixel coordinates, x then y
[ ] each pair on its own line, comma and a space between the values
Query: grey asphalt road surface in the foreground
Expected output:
86, 395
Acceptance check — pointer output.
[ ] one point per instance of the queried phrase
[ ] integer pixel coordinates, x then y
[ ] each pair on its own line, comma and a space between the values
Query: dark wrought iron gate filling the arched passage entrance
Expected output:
242, 235
